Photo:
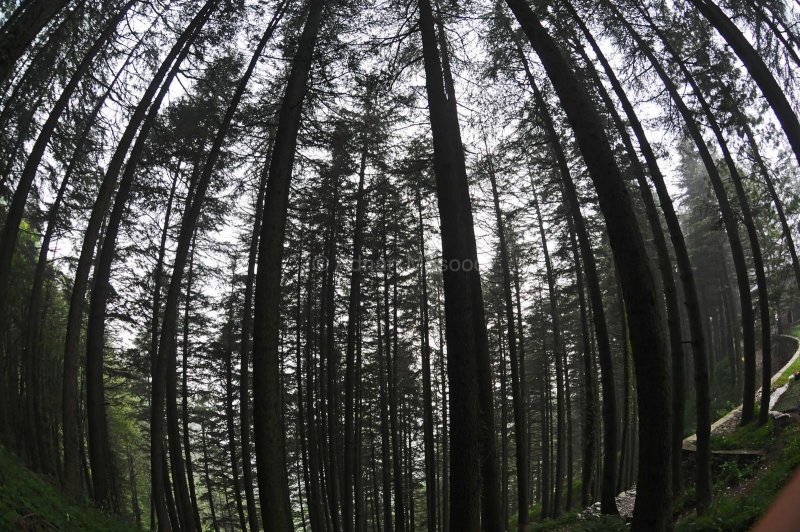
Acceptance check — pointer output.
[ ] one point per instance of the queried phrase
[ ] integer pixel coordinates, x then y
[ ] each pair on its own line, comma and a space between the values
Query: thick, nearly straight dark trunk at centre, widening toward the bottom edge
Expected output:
475, 493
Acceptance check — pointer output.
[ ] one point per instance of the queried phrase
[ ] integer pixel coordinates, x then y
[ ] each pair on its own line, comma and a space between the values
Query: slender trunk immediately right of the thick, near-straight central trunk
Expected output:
520, 426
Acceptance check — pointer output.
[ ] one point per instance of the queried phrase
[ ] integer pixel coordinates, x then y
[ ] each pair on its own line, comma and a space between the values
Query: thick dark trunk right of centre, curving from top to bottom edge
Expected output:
653, 501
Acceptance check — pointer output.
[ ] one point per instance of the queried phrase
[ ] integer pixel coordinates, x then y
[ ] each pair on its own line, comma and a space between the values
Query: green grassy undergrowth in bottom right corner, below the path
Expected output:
739, 509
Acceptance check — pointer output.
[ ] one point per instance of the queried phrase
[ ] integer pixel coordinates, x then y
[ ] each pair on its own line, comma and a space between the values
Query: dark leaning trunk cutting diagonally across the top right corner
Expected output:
757, 68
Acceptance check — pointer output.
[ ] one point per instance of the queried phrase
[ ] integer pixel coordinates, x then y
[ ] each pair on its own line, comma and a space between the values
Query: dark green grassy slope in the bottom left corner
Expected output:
31, 502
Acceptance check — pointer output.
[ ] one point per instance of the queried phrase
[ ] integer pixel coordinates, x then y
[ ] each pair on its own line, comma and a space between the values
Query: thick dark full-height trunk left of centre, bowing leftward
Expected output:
270, 451
